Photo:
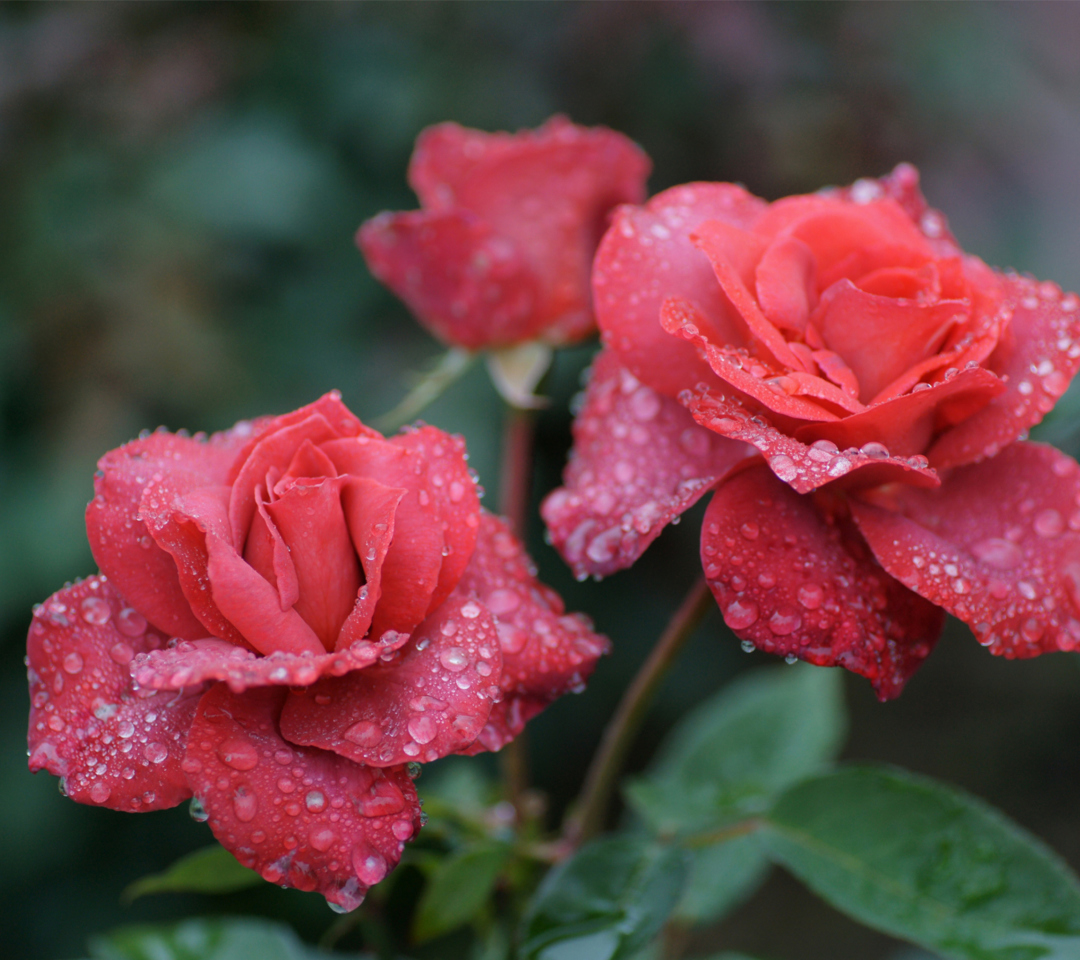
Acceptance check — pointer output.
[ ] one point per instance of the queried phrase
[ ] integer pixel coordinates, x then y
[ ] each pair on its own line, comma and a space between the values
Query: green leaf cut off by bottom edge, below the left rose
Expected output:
218, 939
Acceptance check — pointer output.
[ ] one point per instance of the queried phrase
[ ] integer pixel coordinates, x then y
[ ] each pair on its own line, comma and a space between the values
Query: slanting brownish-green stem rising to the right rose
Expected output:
587, 816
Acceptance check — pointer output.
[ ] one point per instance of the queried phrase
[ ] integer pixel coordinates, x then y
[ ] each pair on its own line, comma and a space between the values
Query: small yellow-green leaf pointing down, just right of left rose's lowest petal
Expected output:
458, 889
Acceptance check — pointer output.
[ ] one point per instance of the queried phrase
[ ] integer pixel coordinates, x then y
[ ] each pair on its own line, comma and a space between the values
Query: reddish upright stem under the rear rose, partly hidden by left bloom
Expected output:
516, 489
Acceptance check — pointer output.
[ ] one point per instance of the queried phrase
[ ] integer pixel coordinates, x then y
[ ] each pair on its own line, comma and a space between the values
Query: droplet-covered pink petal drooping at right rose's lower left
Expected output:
639, 462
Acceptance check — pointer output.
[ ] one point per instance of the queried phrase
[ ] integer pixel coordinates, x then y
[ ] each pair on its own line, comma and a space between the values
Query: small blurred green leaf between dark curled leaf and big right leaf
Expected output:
722, 877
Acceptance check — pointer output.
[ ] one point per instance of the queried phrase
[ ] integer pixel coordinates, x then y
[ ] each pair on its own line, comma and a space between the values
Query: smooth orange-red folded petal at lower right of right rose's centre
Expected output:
908, 424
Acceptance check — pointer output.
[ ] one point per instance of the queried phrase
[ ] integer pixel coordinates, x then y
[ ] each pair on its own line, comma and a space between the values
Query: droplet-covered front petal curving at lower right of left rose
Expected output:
430, 701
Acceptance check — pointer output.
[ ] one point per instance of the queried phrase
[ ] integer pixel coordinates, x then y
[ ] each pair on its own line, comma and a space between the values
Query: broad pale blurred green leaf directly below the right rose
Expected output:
735, 753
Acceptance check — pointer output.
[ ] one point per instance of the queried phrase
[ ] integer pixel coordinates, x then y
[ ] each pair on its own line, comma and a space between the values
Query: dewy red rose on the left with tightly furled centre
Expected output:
289, 614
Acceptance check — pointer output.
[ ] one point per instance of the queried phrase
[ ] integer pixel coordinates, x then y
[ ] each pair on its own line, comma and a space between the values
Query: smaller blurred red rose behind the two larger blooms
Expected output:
502, 251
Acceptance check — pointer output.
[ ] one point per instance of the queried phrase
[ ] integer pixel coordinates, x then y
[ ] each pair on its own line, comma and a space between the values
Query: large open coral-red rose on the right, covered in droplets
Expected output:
885, 378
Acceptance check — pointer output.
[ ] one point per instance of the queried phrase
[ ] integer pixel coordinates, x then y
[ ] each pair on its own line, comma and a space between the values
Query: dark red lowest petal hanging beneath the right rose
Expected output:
793, 584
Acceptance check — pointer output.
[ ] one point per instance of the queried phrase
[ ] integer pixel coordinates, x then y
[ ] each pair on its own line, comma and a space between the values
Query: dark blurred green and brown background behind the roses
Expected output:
180, 185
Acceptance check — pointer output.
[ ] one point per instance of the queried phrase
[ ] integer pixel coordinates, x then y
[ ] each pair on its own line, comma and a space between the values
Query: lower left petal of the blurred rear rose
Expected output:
468, 286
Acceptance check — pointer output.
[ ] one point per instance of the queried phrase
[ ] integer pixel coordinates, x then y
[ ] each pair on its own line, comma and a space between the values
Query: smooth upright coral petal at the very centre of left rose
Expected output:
313, 524
